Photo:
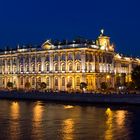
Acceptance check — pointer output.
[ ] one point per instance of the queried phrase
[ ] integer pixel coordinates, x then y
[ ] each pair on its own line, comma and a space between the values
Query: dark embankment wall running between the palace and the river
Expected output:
76, 98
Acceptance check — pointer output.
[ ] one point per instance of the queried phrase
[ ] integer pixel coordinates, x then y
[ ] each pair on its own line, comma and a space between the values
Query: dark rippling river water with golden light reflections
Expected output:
50, 121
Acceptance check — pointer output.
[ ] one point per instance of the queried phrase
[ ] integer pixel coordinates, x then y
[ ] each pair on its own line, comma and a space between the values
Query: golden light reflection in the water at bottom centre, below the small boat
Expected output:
68, 129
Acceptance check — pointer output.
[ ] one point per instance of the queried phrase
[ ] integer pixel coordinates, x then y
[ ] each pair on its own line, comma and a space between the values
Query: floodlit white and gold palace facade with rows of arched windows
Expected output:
63, 64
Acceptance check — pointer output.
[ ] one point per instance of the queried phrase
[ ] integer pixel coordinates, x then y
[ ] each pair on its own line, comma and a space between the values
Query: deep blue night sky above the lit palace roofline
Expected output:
33, 21
